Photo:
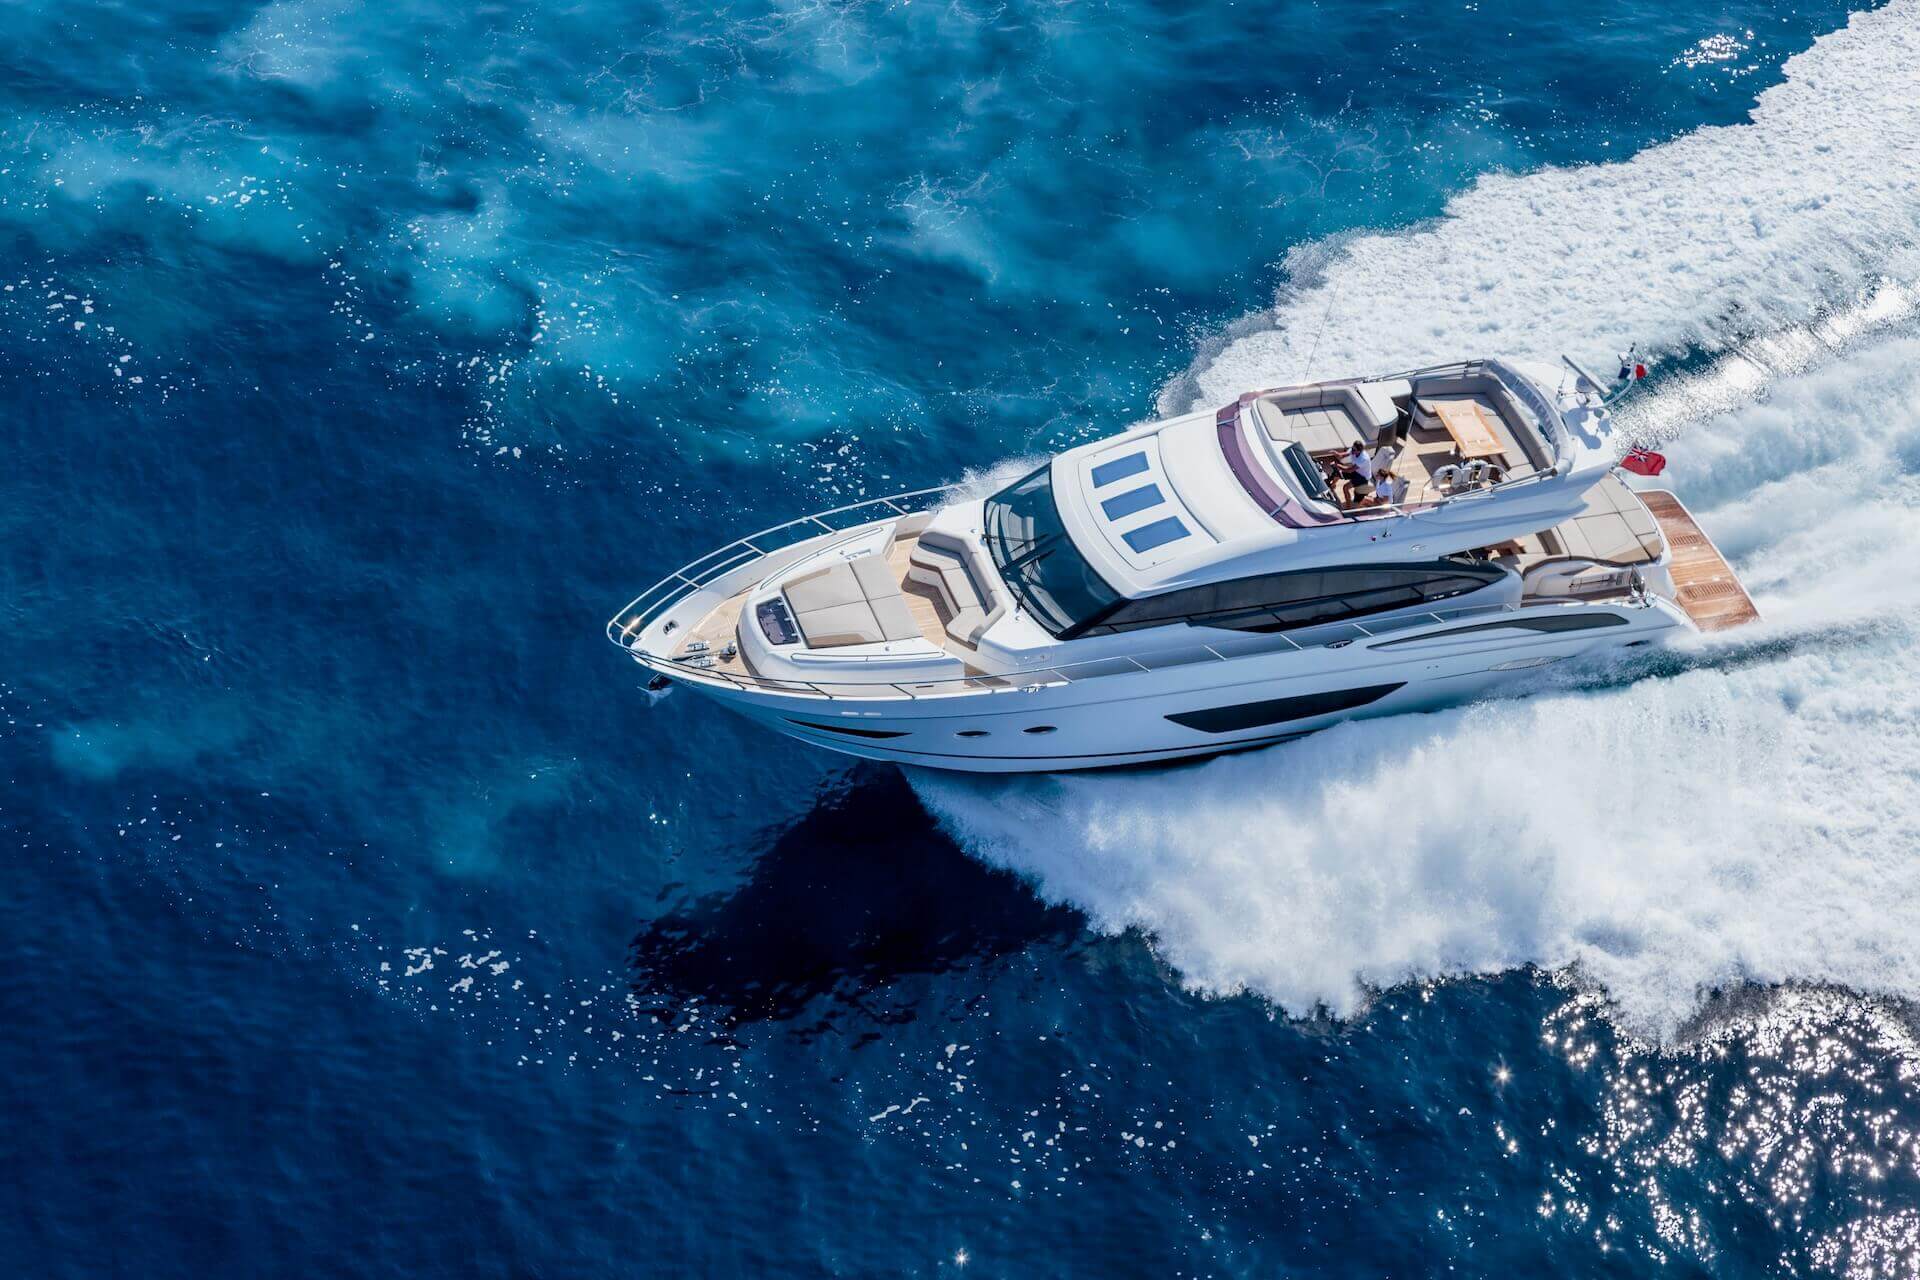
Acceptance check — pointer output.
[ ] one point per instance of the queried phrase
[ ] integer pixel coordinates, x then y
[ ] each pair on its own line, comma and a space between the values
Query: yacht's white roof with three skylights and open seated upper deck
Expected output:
1260, 483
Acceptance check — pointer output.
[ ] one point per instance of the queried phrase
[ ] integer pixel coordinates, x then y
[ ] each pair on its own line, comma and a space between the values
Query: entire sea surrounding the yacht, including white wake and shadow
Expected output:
368, 918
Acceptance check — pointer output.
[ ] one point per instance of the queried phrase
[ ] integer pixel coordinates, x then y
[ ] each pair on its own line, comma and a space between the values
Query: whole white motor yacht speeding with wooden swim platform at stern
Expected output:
1197, 584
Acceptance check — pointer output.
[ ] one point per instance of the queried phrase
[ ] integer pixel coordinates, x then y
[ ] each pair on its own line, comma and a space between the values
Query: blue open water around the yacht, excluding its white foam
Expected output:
366, 918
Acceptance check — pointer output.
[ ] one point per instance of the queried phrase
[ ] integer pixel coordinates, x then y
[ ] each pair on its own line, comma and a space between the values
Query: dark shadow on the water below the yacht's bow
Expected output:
844, 907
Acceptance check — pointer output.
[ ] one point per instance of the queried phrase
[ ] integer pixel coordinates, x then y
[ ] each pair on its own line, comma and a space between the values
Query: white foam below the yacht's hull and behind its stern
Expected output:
1744, 820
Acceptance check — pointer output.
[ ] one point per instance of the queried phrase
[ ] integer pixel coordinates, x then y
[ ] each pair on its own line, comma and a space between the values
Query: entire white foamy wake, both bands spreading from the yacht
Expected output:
1752, 815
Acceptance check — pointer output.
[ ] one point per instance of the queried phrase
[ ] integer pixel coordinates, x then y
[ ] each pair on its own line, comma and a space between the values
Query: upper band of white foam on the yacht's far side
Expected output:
1700, 243
